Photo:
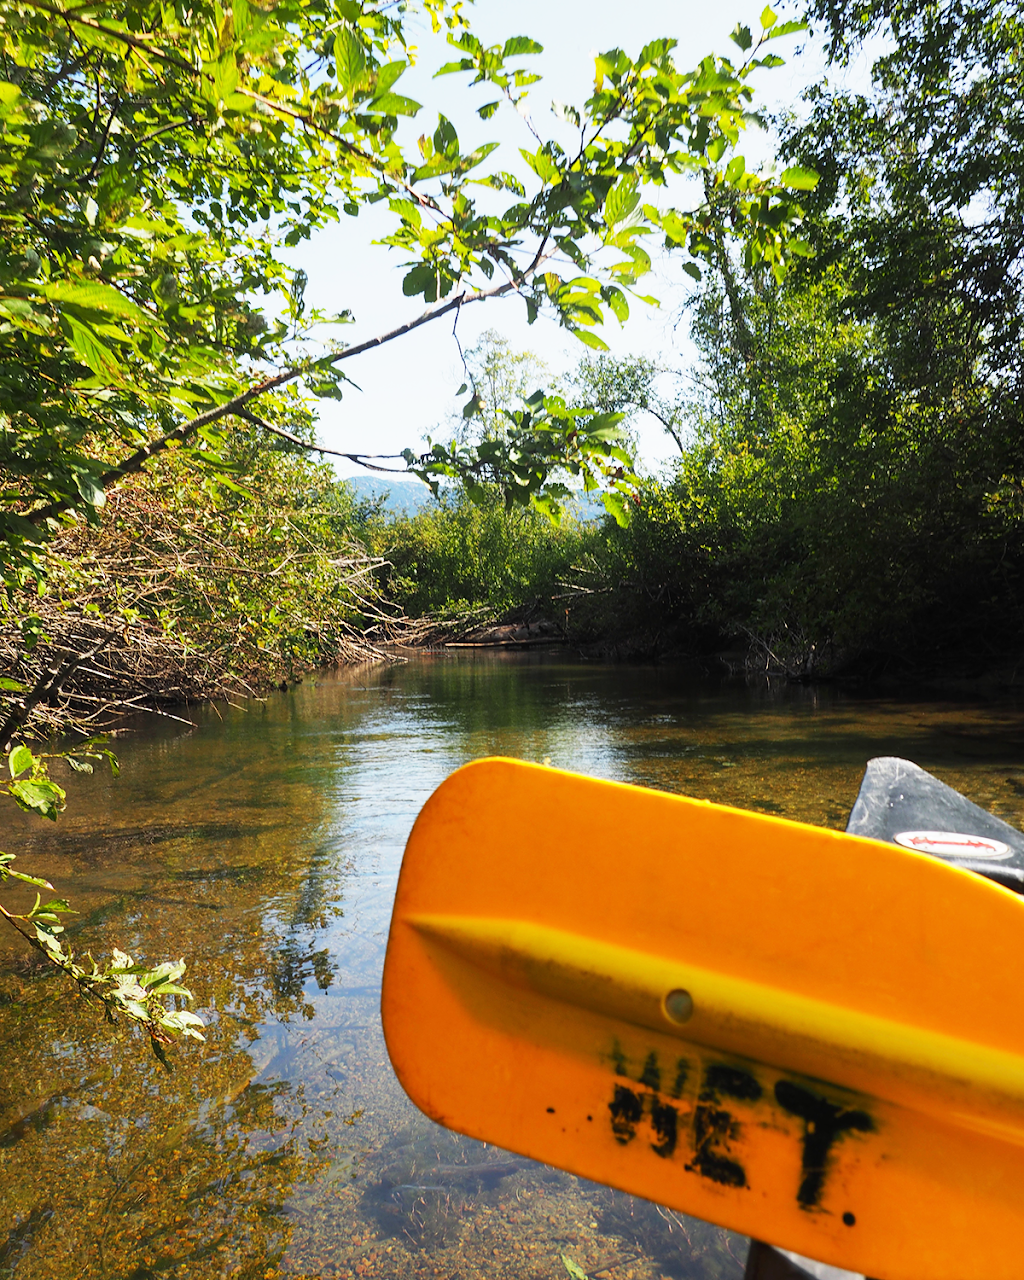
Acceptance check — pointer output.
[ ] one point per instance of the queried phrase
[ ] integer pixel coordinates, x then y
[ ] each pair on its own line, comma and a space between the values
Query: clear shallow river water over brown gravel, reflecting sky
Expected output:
264, 845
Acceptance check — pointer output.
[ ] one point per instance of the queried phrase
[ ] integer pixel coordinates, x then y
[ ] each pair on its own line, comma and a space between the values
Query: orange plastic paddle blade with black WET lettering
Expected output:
808, 1037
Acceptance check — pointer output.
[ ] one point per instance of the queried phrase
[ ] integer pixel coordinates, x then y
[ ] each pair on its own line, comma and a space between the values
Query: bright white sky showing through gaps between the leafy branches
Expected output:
408, 387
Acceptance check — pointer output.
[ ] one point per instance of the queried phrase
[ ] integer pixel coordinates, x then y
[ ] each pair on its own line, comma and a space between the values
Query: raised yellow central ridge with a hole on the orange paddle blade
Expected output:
980, 1087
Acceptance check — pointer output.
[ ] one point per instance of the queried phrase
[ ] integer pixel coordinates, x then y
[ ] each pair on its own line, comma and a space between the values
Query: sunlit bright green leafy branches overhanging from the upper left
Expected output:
158, 161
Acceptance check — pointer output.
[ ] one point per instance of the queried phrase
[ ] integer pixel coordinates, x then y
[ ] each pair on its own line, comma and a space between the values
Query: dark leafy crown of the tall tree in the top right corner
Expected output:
922, 194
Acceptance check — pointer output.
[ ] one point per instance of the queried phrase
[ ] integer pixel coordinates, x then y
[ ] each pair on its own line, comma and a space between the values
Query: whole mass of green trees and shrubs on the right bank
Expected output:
851, 488
